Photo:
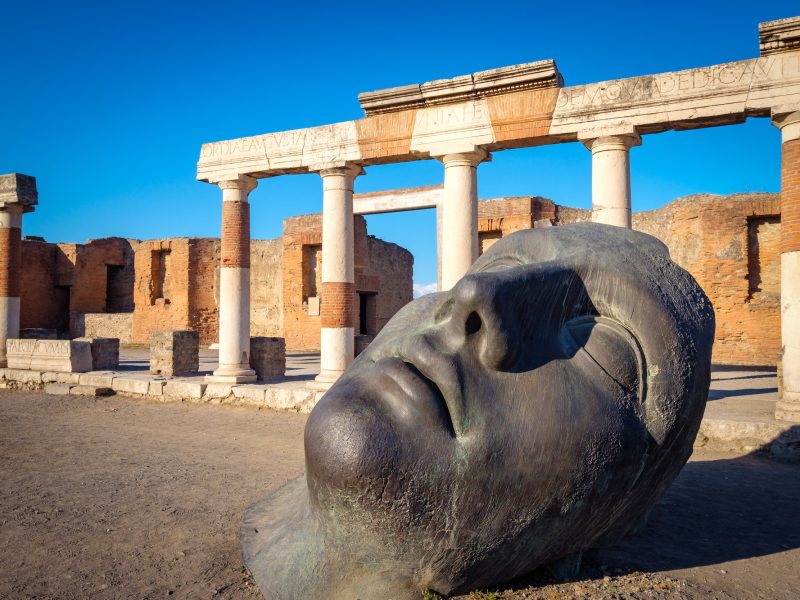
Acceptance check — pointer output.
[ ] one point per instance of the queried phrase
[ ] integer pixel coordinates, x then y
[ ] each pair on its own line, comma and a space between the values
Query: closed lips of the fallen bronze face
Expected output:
429, 381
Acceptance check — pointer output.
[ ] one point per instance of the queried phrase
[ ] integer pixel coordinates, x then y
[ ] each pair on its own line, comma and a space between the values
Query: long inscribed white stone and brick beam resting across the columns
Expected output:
401, 125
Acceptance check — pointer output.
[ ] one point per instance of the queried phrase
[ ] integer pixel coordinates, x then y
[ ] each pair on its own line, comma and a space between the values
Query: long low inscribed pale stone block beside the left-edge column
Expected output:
68, 356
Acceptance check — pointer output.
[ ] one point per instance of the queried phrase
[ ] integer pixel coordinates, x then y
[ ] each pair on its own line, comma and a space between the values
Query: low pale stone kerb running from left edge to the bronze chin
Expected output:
282, 396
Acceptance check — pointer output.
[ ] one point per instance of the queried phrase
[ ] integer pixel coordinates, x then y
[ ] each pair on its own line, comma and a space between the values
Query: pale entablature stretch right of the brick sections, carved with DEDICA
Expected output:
667, 86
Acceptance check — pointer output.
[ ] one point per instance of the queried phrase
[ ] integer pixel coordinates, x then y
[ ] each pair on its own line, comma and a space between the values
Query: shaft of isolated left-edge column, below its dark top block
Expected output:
10, 263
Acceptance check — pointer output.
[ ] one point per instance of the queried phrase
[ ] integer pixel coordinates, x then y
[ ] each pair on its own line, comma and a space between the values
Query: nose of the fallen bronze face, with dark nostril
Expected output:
476, 321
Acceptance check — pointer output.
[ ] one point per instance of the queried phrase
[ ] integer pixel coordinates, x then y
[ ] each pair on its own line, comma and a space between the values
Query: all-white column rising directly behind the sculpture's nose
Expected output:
459, 246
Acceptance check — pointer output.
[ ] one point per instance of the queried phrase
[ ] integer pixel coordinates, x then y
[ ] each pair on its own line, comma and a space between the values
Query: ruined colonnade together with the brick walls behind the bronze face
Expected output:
743, 250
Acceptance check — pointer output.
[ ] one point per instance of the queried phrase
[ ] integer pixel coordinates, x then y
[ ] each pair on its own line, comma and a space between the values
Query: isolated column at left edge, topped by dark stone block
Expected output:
18, 195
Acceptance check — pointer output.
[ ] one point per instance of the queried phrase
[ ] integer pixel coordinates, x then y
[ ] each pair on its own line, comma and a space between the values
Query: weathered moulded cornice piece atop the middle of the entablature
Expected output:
528, 76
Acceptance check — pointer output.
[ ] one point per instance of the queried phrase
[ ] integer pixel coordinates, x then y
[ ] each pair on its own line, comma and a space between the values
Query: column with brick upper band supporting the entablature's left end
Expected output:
234, 283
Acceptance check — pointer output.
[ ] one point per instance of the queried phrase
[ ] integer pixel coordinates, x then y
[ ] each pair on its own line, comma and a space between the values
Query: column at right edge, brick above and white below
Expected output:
788, 405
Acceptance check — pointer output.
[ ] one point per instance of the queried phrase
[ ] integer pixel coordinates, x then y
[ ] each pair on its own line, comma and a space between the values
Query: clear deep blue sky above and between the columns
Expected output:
107, 103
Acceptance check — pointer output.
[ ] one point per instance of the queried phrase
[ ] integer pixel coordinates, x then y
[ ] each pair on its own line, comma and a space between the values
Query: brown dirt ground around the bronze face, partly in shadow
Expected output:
122, 498
